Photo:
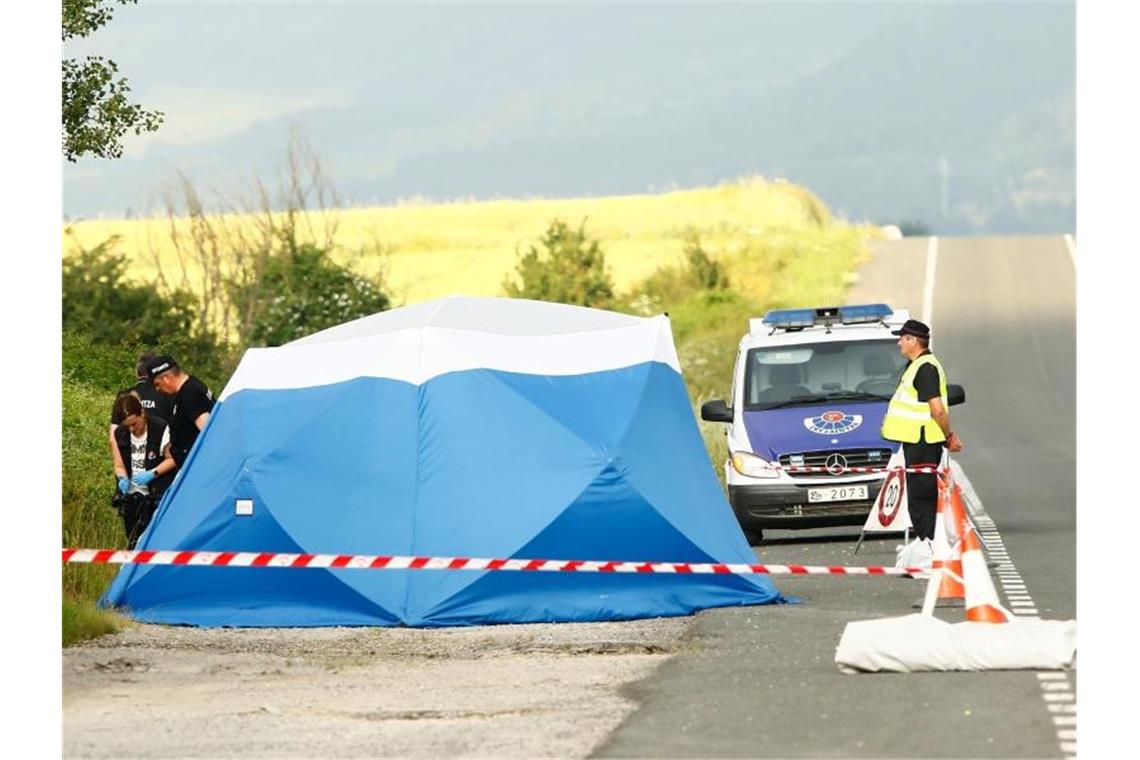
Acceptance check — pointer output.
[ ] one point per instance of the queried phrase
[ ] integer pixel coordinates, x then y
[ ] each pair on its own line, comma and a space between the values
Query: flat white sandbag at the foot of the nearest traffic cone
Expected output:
922, 643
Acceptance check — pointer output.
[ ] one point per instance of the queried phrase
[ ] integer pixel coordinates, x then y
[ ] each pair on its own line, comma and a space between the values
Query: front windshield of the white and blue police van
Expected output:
800, 375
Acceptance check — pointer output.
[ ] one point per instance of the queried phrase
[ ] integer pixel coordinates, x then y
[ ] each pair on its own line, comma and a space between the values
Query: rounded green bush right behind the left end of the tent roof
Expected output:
302, 291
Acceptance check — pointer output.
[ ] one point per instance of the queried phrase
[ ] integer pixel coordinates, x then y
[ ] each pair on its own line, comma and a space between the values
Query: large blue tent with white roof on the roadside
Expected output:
459, 428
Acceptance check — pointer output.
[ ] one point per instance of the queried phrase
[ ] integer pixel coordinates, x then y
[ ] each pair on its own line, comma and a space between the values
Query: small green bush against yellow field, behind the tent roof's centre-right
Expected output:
568, 268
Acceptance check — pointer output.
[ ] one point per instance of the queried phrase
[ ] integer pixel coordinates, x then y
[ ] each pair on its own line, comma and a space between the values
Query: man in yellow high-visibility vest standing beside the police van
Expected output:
918, 418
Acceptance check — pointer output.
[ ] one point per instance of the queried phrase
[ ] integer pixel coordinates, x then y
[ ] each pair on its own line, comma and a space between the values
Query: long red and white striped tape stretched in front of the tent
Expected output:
380, 562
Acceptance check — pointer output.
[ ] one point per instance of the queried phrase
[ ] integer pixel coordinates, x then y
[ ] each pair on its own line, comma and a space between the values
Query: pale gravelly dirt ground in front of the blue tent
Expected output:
502, 691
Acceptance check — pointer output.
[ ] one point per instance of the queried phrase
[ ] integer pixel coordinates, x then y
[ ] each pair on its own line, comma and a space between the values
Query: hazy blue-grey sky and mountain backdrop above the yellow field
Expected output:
960, 117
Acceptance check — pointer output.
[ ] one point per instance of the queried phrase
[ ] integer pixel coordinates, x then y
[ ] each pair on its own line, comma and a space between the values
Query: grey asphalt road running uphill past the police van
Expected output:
762, 682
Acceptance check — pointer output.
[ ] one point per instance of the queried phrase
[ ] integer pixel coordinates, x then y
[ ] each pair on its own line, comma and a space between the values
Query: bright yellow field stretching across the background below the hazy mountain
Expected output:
437, 250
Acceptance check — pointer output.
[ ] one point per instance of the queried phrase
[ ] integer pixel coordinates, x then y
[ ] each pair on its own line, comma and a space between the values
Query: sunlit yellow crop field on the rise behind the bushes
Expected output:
429, 251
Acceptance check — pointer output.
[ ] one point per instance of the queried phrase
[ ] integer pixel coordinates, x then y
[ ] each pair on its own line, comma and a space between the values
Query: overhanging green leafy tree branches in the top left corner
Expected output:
96, 111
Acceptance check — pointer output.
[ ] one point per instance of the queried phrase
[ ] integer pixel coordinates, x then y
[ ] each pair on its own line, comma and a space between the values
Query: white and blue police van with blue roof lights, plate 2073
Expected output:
810, 390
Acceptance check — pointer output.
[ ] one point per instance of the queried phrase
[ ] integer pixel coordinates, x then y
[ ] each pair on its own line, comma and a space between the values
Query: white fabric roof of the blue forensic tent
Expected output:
420, 342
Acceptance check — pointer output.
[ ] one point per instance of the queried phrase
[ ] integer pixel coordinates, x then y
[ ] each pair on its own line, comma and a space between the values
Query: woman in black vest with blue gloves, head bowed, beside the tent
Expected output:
148, 470
